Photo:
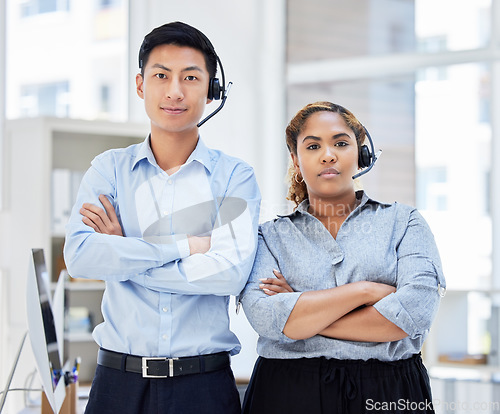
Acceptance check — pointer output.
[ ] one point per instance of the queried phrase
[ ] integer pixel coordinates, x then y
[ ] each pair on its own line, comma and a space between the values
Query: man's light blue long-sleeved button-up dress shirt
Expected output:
159, 300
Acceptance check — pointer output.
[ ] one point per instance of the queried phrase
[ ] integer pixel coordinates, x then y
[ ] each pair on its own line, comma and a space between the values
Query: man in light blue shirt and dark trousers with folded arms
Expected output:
177, 236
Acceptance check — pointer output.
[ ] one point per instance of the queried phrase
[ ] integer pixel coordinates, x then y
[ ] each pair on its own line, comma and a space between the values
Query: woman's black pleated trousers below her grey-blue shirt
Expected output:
320, 385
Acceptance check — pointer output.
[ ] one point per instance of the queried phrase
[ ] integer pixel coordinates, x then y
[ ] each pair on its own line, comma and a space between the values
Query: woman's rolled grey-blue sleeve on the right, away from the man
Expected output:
419, 277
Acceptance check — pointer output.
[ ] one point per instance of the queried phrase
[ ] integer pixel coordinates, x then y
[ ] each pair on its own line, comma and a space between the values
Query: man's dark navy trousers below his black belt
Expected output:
114, 391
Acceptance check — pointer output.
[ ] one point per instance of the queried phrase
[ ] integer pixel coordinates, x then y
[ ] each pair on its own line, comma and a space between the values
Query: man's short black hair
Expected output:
178, 34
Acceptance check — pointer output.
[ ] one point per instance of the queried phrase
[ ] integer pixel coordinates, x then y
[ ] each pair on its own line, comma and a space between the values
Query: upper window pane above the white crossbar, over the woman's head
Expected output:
332, 29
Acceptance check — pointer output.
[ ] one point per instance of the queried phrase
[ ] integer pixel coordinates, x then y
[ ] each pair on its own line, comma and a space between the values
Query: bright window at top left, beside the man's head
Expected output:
65, 72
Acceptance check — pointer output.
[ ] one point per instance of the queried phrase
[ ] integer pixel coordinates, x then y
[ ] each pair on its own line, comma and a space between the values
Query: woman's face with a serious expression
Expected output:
327, 156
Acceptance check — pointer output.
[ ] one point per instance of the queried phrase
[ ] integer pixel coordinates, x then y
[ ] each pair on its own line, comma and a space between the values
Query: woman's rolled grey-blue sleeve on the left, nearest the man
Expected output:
267, 314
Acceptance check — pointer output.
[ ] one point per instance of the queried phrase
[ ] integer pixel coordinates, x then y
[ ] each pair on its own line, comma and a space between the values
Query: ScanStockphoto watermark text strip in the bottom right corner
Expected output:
440, 406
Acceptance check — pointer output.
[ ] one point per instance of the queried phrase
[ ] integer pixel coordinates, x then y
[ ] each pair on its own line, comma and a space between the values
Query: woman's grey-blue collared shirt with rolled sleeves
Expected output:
386, 243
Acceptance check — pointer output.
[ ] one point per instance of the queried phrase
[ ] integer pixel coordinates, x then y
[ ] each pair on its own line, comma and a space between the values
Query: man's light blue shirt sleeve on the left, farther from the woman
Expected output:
106, 257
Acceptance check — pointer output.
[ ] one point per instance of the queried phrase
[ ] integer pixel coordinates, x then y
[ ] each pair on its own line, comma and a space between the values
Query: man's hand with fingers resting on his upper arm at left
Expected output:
104, 222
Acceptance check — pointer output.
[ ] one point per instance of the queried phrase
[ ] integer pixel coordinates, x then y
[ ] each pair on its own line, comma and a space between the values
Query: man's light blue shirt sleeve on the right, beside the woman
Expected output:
225, 268
